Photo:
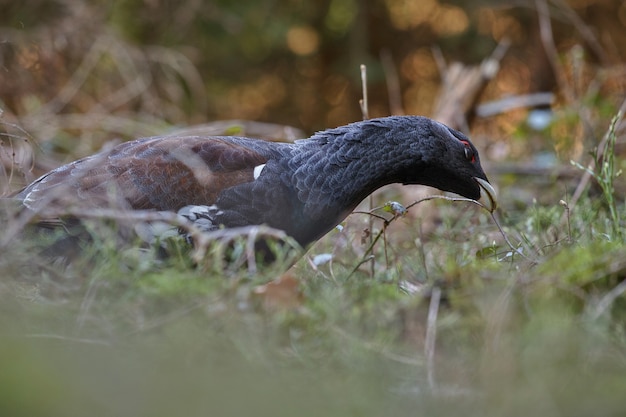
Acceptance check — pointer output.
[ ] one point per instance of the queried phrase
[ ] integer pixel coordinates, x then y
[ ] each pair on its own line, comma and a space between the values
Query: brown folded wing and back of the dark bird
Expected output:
164, 173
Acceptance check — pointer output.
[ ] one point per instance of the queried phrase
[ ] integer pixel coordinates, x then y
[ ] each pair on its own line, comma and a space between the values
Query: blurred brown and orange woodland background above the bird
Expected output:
552, 71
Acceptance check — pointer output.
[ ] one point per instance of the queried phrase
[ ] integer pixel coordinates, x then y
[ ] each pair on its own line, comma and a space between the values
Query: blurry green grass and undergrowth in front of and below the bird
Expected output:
505, 324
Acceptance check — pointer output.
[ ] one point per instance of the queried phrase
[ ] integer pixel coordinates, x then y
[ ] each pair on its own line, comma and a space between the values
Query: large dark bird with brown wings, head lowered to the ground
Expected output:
304, 188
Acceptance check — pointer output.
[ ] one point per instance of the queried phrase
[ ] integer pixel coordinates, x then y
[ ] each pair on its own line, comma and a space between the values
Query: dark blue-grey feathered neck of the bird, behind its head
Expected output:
340, 167
